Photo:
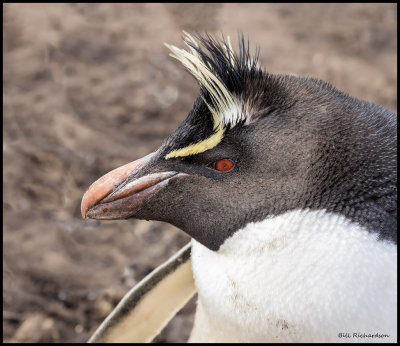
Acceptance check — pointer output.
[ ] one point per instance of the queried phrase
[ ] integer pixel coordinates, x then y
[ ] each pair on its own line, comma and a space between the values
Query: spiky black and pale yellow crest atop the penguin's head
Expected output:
252, 92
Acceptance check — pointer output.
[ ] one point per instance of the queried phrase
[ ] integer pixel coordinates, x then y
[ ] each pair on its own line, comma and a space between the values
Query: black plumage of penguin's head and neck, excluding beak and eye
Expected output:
299, 144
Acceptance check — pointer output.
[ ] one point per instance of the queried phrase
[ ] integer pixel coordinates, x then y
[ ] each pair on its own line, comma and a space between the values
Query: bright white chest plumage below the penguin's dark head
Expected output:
304, 276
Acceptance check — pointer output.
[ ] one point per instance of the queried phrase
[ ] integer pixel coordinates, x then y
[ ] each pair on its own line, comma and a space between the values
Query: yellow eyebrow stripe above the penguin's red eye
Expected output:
201, 146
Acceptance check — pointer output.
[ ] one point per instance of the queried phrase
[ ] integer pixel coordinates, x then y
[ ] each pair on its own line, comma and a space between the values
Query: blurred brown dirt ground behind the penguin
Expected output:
89, 87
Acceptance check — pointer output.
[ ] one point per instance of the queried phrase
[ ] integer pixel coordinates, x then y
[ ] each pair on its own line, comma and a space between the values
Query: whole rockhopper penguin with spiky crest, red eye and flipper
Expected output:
287, 187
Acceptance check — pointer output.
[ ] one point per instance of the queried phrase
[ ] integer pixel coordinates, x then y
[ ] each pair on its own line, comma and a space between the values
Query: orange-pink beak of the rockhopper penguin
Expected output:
117, 195
